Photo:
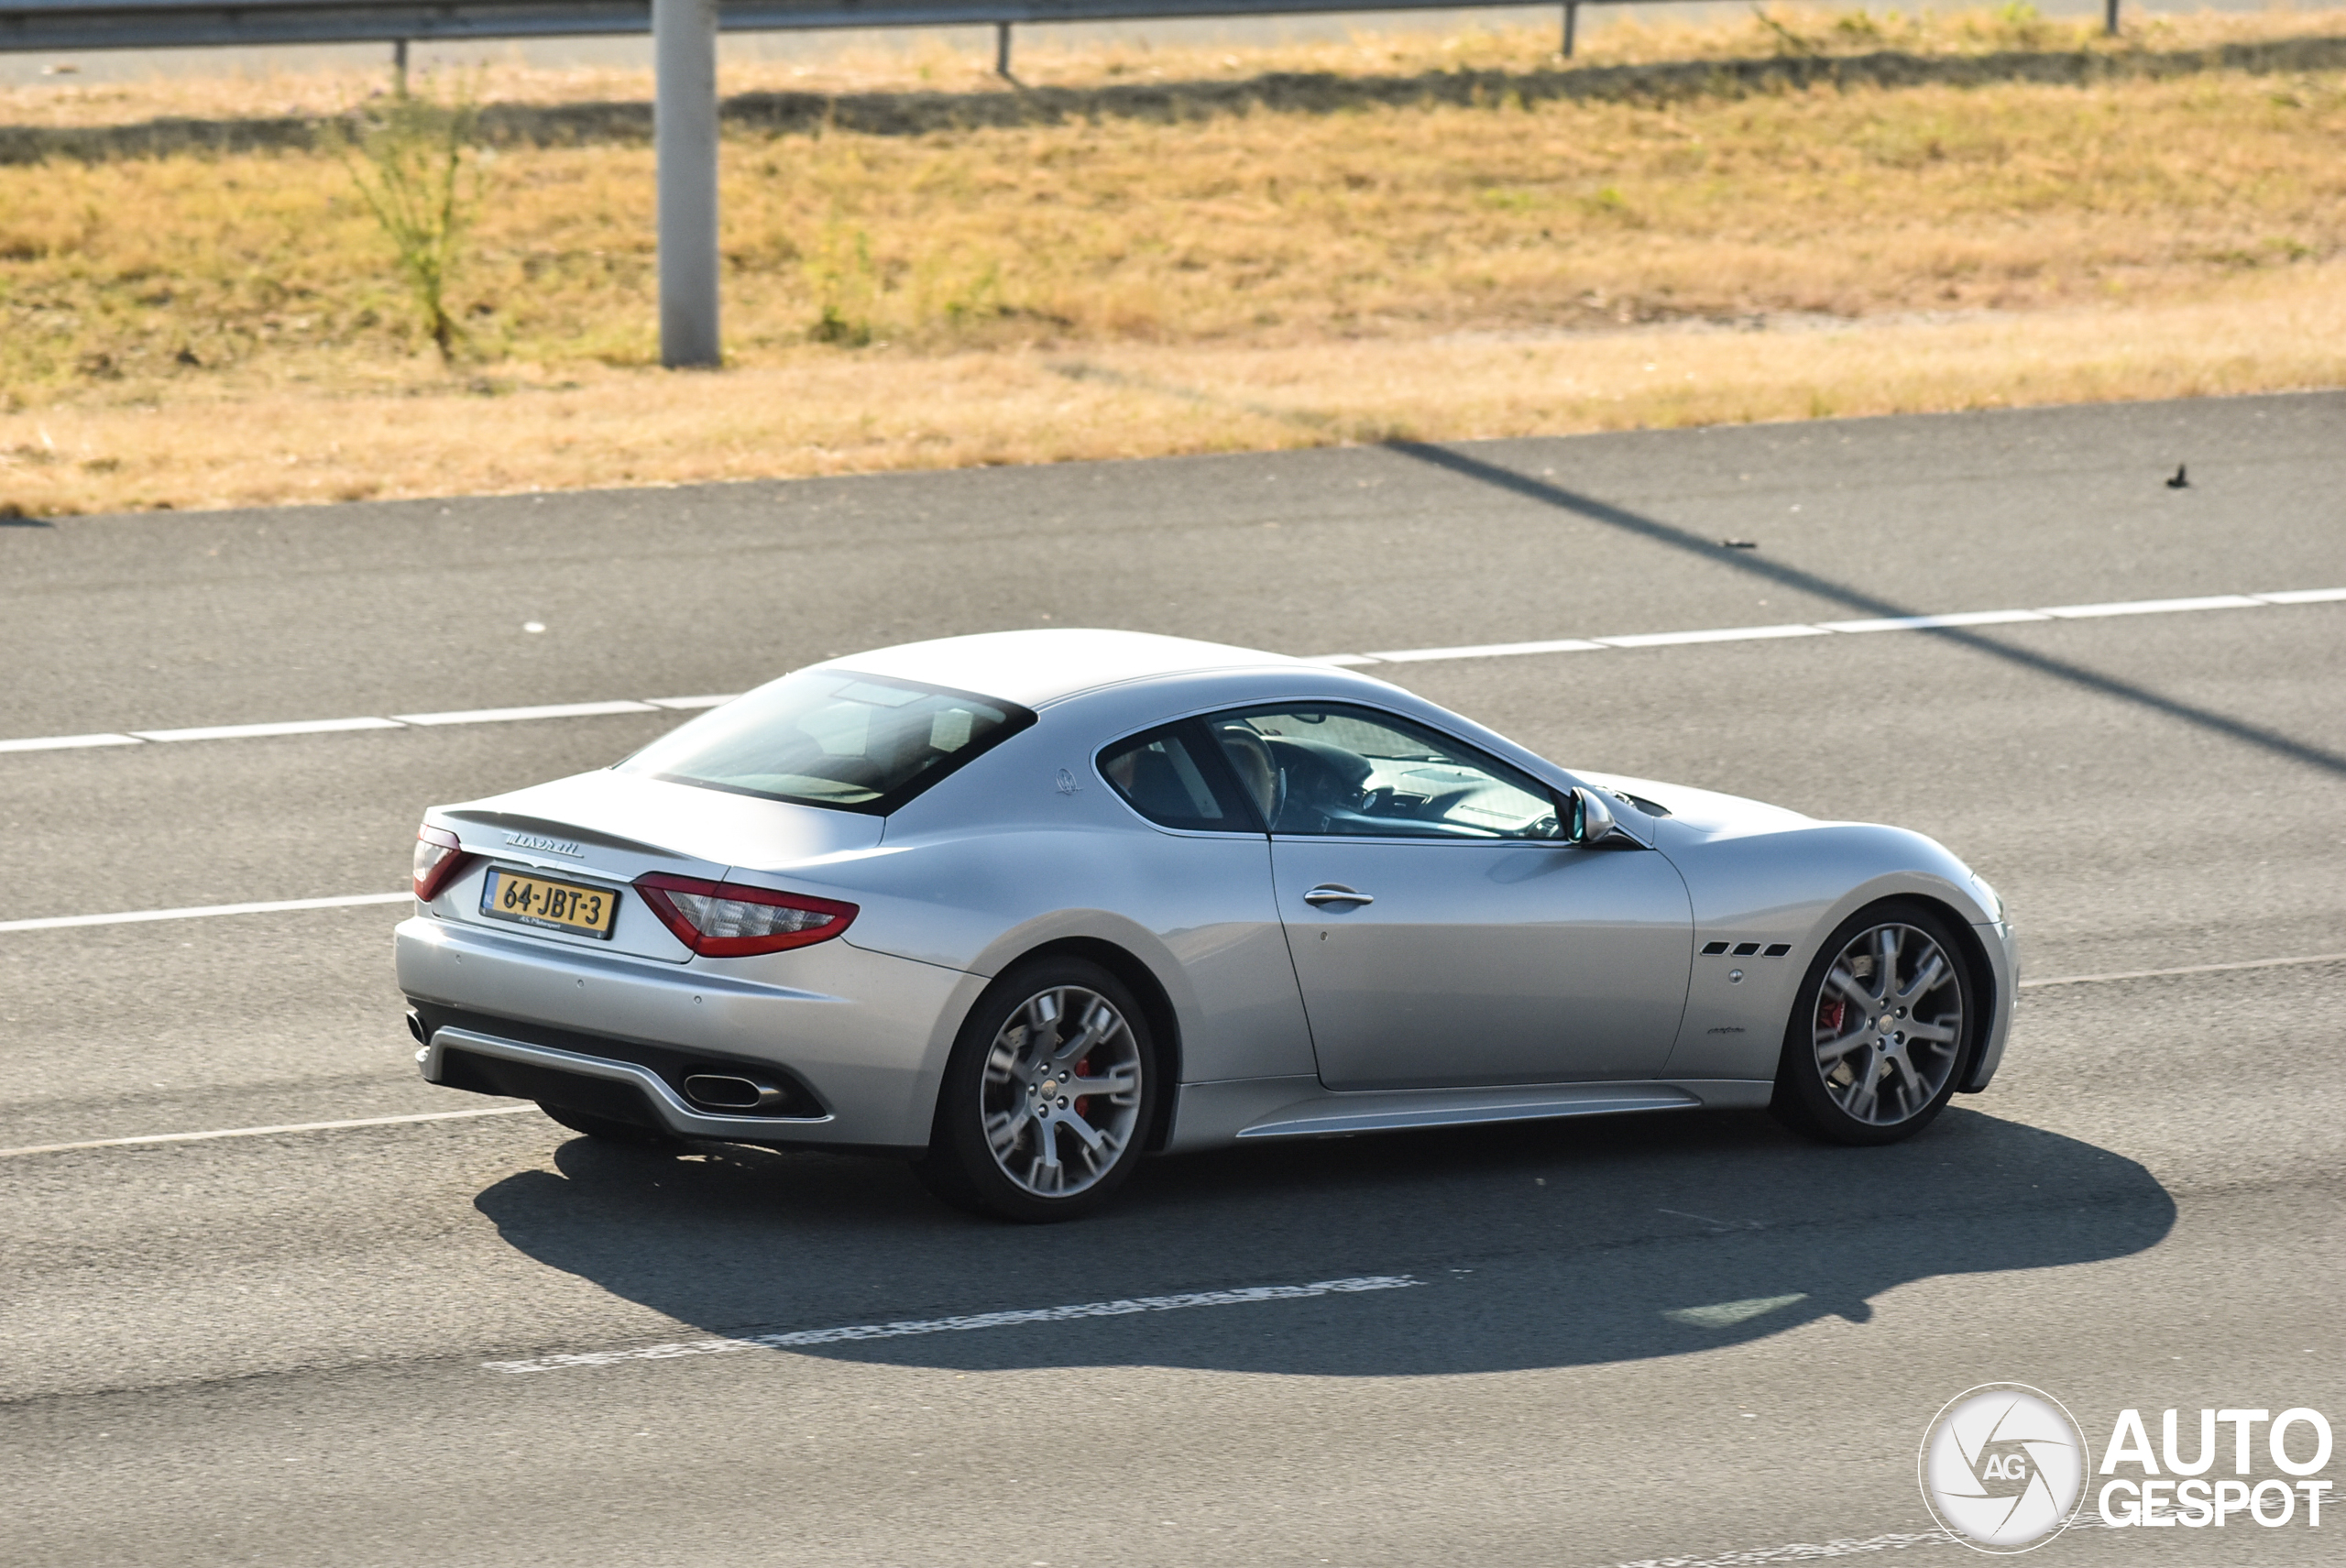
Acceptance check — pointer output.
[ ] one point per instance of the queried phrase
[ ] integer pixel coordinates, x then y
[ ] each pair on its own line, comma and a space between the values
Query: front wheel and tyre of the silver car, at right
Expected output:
1916, 1046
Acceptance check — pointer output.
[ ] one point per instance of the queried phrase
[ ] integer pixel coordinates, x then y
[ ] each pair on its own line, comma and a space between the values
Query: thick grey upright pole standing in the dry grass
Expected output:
686, 154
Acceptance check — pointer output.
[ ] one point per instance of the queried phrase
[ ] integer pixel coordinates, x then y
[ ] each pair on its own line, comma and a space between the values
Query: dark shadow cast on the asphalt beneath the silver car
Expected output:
1505, 1248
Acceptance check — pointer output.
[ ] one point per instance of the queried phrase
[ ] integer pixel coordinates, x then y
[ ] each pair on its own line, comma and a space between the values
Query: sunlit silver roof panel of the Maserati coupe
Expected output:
1057, 663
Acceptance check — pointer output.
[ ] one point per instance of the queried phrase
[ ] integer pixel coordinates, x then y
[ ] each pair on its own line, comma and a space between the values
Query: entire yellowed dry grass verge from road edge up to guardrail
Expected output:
226, 330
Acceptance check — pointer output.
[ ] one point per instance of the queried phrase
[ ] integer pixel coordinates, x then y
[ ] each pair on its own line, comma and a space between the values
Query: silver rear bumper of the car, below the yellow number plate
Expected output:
862, 1034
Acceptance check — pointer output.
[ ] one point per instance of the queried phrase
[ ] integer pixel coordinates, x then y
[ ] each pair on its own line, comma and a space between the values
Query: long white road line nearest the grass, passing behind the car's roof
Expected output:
1392, 656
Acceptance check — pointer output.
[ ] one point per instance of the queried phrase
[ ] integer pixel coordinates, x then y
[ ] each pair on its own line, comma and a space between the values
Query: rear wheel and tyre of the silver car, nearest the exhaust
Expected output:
1005, 1114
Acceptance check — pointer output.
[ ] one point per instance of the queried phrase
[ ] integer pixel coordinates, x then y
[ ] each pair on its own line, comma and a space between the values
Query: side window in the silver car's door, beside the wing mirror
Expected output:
1367, 773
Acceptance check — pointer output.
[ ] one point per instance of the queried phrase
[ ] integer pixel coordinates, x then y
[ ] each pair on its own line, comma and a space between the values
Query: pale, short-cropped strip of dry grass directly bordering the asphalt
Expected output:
836, 414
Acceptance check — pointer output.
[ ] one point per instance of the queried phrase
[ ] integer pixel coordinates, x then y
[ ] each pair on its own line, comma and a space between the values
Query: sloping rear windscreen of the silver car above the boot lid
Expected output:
832, 738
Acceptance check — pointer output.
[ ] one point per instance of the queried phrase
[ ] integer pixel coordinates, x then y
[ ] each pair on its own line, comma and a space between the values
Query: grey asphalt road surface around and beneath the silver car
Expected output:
1592, 1344
